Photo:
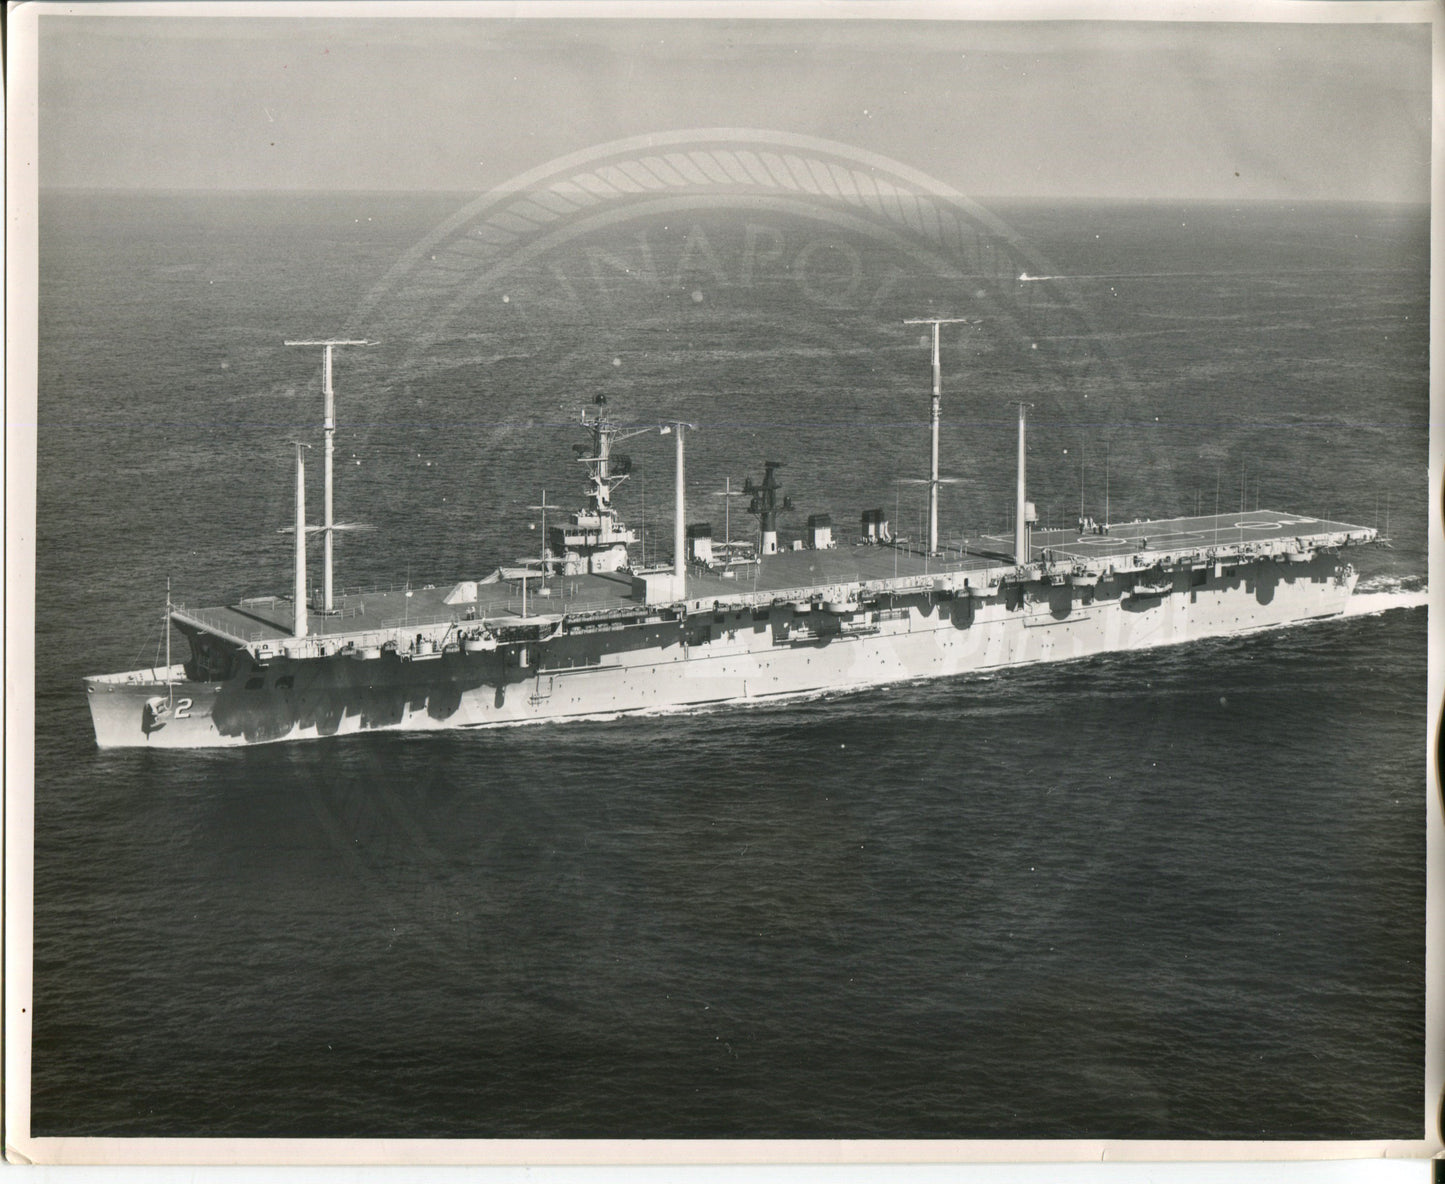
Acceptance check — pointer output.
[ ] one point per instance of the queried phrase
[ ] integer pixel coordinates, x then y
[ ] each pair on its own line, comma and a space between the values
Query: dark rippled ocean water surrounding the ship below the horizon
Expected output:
1176, 894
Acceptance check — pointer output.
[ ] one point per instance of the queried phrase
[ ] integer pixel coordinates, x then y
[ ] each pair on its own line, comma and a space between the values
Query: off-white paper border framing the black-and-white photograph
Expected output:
20, 641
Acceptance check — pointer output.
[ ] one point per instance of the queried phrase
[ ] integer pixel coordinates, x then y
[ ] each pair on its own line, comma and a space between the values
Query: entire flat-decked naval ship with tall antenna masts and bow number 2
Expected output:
585, 631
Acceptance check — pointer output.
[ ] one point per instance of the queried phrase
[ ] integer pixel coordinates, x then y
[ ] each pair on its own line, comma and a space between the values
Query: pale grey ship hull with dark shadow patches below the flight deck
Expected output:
687, 660
